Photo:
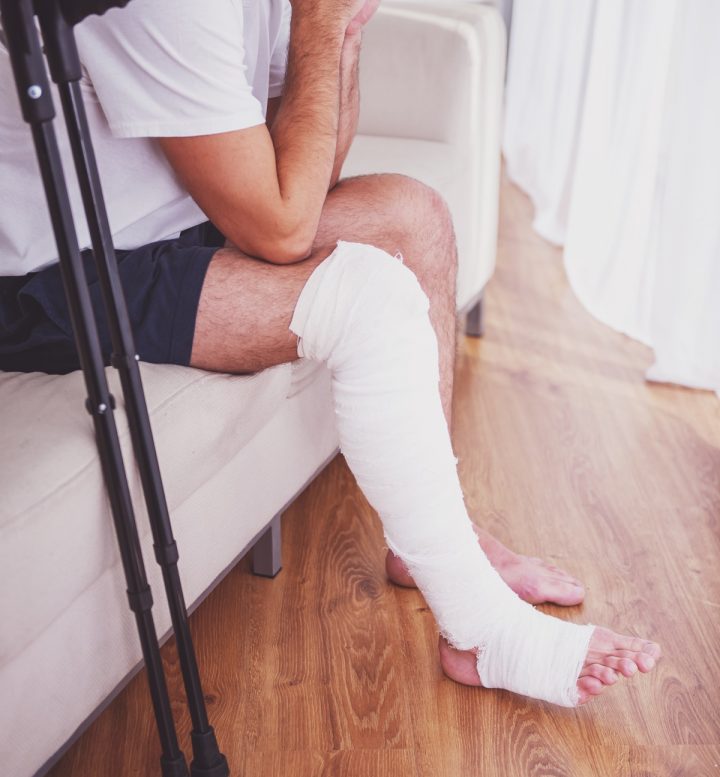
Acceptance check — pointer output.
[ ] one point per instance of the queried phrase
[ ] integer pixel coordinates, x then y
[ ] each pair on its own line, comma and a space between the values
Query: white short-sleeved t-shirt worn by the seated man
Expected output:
157, 68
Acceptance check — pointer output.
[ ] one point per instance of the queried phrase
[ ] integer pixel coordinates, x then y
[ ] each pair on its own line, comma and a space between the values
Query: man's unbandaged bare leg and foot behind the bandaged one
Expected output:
397, 213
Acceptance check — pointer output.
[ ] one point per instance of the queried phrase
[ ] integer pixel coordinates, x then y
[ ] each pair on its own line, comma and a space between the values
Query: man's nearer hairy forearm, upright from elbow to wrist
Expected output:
305, 131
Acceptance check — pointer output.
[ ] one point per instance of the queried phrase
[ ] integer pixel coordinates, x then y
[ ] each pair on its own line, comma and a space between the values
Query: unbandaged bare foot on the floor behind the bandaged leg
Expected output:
532, 579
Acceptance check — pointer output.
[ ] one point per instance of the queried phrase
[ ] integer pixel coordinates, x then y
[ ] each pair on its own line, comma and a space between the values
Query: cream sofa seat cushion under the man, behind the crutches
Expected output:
54, 515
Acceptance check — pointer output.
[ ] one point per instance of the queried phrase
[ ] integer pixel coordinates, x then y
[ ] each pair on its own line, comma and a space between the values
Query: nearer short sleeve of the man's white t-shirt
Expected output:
170, 68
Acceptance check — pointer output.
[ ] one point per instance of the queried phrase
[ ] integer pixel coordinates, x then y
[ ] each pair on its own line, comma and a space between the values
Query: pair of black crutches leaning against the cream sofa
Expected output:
57, 18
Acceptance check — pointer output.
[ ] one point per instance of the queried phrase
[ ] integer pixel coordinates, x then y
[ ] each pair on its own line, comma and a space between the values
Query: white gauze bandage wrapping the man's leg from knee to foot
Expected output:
365, 315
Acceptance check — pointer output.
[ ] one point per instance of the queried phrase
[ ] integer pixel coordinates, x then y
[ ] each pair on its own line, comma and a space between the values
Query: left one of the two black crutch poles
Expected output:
36, 102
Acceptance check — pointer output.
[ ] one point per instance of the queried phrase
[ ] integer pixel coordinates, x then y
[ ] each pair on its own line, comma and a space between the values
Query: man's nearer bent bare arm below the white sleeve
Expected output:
265, 189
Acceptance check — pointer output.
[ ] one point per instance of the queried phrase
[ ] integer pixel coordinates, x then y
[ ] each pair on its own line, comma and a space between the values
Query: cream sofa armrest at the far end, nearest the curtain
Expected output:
431, 80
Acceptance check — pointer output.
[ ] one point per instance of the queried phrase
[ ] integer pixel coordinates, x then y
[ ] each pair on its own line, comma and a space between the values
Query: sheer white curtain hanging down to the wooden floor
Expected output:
613, 128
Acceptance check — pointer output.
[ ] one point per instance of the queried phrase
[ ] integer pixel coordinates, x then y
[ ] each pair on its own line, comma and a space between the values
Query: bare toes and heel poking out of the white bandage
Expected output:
609, 656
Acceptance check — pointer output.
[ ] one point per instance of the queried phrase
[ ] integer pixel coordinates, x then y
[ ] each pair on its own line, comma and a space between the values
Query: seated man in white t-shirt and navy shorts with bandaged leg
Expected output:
199, 111
